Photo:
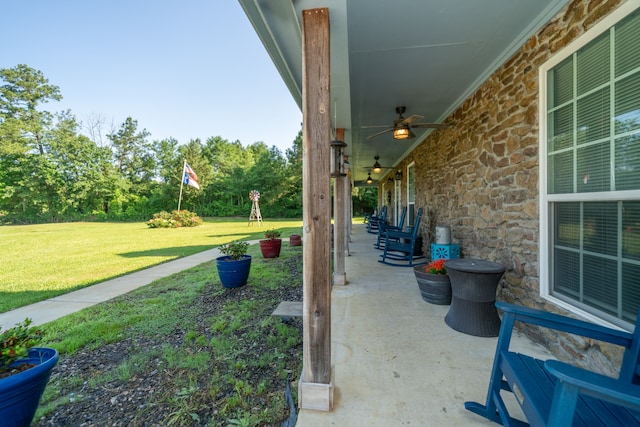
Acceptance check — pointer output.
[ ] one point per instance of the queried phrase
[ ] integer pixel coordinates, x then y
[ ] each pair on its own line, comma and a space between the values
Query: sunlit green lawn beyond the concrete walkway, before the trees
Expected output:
41, 261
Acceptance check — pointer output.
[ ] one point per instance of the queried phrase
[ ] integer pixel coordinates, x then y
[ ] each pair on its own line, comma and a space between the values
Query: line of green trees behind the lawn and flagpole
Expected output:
51, 171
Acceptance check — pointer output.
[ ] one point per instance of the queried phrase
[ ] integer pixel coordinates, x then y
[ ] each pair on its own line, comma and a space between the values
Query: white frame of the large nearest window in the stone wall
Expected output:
544, 199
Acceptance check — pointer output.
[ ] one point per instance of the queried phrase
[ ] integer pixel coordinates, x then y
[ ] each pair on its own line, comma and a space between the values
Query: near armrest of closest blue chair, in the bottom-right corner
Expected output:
596, 385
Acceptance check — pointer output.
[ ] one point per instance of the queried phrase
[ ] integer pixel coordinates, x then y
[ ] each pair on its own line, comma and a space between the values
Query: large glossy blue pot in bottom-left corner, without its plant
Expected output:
20, 394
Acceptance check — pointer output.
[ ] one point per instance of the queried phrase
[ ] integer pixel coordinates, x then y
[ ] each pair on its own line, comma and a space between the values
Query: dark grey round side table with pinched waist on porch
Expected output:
473, 288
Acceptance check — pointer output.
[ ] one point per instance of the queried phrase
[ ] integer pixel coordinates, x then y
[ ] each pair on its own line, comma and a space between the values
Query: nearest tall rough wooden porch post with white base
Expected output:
316, 388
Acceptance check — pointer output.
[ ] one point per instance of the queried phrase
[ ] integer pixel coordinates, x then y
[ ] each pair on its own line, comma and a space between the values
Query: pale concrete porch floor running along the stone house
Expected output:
395, 362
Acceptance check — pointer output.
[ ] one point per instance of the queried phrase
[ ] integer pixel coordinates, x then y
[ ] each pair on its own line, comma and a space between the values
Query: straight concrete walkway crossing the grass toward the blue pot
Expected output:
54, 308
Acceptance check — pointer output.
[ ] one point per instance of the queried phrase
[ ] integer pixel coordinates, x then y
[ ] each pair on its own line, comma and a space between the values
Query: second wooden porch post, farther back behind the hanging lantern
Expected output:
339, 232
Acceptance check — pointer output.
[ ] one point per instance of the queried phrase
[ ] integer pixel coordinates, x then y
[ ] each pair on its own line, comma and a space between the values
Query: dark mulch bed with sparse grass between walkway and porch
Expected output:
145, 398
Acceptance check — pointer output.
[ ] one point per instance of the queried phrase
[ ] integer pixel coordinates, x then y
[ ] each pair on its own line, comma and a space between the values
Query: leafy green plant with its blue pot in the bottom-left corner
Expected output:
24, 373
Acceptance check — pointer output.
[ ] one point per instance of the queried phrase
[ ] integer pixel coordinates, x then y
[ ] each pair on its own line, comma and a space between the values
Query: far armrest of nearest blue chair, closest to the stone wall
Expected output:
565, 324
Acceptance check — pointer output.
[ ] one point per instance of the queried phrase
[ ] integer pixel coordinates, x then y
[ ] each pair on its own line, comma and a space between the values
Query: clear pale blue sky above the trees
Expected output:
183, 69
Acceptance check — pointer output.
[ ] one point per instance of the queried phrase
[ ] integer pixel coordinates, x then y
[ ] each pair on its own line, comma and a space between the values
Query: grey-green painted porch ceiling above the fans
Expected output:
427, 55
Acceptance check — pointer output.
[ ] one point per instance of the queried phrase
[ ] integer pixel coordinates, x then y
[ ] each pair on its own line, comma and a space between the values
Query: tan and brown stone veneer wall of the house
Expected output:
481, 176
